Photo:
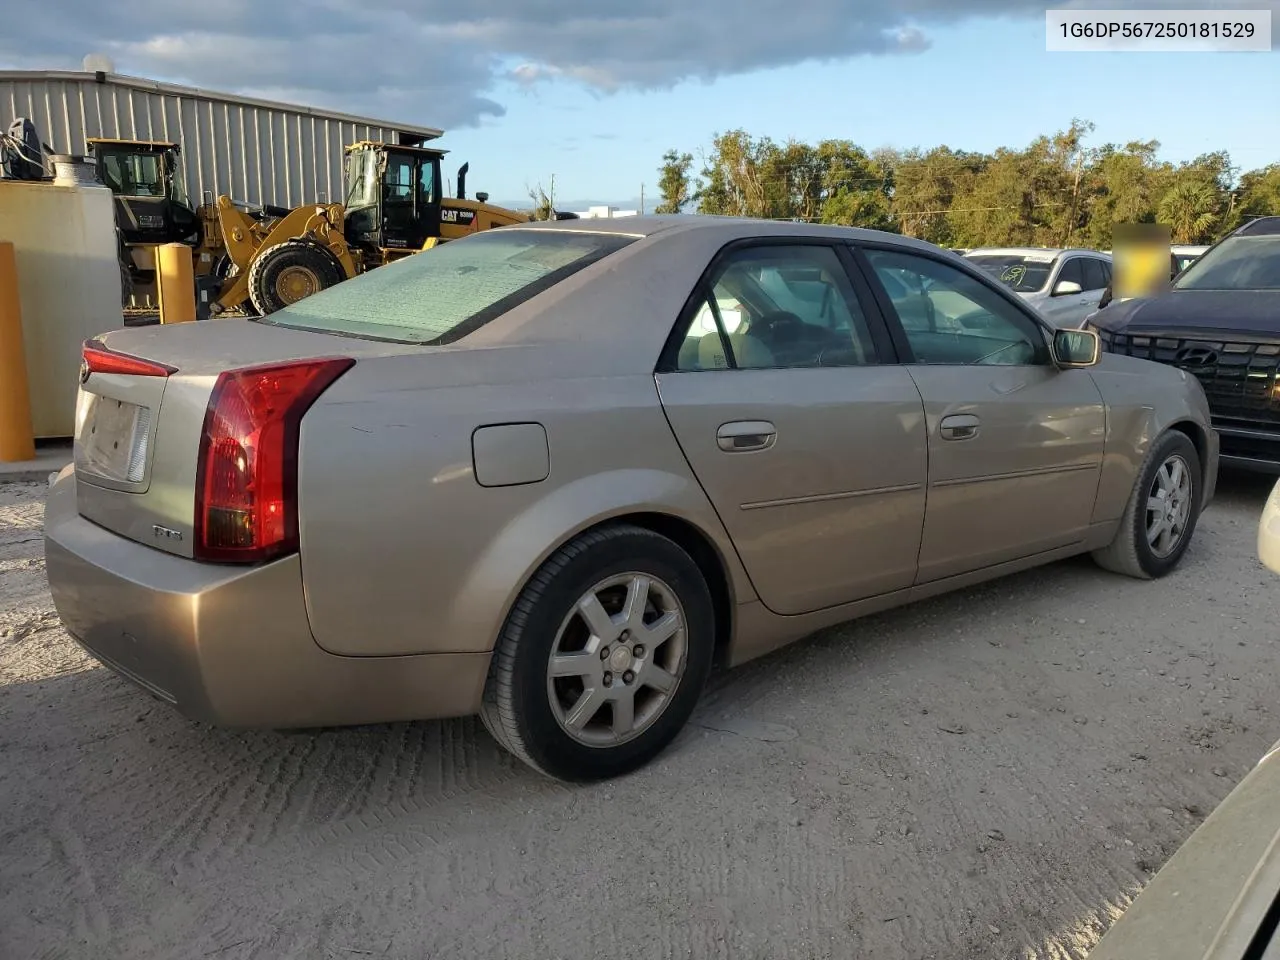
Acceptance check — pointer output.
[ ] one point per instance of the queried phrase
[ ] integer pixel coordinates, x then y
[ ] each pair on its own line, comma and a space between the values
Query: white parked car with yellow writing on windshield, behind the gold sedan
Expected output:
1063, 285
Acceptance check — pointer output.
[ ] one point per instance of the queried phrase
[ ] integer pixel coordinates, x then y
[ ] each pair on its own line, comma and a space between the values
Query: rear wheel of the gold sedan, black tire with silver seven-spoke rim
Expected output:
531, 714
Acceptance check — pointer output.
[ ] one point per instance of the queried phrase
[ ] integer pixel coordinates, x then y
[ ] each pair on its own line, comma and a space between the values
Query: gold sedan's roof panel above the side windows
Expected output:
732, 228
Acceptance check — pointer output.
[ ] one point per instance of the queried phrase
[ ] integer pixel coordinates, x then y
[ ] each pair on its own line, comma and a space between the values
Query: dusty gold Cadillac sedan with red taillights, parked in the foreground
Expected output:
532, 474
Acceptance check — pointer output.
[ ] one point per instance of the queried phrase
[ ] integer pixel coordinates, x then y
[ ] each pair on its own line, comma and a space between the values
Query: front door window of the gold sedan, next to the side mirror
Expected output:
953, 318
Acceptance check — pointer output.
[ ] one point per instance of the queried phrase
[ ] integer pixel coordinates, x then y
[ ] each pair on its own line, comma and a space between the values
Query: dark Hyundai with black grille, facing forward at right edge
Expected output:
1218, 322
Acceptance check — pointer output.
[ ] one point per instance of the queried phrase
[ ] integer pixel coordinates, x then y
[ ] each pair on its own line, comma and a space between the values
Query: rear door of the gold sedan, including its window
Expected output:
811, 447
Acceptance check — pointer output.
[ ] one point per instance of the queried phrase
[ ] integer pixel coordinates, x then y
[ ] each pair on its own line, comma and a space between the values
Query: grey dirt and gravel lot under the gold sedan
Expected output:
990, 775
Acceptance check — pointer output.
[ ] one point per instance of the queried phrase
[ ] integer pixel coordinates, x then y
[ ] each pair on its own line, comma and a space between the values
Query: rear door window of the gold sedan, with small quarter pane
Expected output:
778, 307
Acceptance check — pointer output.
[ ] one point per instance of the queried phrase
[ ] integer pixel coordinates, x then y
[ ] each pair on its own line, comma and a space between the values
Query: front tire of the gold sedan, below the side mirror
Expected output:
1132, 552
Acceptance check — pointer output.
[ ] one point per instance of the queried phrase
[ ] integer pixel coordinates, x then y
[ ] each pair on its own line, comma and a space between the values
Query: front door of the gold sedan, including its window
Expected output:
1016, 445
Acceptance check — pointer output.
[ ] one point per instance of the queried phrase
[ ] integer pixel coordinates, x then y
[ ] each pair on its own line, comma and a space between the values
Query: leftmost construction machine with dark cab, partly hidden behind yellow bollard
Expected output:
152, 204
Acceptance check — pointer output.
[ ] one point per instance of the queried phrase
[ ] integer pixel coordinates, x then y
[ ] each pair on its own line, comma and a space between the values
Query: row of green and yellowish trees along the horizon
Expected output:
1055, 193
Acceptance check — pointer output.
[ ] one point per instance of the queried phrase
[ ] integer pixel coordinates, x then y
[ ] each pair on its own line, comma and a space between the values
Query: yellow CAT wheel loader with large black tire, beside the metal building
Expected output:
395, 207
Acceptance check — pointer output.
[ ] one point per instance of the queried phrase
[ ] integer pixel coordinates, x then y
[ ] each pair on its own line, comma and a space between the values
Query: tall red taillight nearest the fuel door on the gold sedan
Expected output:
248, 476
